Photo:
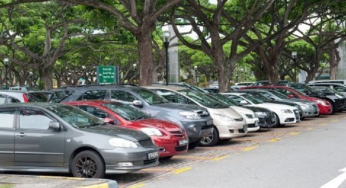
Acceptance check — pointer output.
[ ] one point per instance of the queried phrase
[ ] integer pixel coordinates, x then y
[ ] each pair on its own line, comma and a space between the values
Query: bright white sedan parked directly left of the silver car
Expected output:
284, 113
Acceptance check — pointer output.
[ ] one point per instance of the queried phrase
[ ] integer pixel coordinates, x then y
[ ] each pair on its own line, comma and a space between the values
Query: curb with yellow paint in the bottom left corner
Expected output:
104, 183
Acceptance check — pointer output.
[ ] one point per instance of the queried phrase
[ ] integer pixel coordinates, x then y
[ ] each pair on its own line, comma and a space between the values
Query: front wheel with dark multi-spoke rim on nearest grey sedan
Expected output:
88, 164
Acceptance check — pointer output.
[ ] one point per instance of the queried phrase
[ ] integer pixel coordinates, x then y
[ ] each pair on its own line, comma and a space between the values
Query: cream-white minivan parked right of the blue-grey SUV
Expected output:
228, 123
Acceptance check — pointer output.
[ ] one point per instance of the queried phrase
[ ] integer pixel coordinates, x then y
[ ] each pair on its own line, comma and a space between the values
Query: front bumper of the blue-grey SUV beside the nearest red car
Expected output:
197, 129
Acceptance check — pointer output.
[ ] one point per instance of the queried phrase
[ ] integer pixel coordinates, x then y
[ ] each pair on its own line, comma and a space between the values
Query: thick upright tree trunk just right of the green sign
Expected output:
145, 58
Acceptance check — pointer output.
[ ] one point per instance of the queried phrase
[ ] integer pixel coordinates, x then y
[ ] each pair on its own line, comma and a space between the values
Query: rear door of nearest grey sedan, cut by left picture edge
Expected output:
7, 117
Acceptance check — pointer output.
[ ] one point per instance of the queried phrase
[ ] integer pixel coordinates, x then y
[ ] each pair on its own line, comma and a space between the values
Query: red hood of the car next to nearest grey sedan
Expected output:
160, 124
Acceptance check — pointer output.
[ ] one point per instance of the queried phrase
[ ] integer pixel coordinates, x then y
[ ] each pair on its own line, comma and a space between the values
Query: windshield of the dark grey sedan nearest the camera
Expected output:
75, 117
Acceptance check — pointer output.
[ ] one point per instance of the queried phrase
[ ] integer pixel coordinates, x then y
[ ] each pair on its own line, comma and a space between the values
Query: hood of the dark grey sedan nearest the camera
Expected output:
111, 130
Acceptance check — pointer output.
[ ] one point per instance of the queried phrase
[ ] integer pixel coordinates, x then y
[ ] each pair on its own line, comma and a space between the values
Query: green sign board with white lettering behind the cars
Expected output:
107, 75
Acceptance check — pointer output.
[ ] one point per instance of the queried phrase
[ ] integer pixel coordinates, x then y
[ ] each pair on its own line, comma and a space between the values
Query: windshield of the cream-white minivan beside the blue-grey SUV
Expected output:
203, 99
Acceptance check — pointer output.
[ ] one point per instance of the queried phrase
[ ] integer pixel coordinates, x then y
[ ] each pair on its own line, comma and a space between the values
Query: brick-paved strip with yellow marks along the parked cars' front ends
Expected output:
181, 163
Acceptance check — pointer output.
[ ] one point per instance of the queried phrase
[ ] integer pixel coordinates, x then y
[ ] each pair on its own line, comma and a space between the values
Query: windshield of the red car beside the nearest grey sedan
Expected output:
127, 112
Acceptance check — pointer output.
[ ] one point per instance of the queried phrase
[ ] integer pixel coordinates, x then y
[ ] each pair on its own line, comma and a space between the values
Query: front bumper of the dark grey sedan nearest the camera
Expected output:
137, 156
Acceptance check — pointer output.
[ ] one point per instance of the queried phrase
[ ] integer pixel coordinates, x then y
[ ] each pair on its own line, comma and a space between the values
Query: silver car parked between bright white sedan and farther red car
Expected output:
306, 108
